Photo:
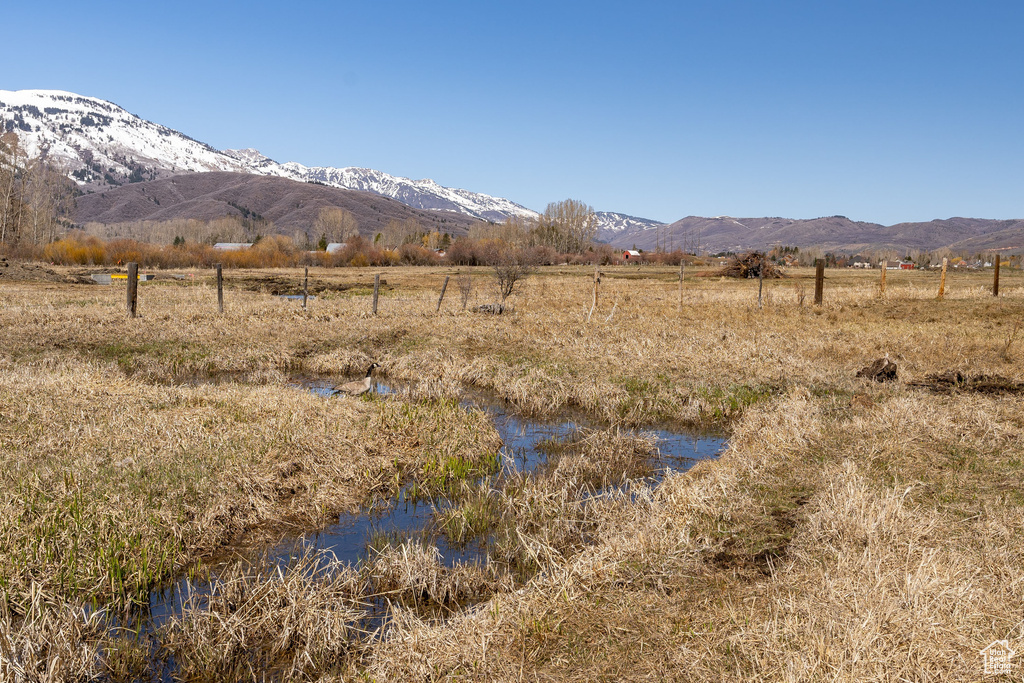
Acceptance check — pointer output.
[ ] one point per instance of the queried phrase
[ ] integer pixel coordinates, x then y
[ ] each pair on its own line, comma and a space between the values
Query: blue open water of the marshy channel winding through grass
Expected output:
407, 518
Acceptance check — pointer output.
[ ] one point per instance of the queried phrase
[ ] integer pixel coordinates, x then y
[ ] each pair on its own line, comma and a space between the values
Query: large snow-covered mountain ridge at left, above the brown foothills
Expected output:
103, 146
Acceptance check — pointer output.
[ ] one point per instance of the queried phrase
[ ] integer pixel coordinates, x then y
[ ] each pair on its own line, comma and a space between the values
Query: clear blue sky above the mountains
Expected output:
884, 111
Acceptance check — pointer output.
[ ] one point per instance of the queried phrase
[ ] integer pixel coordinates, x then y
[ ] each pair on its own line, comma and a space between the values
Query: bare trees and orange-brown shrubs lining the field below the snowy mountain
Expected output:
37, 201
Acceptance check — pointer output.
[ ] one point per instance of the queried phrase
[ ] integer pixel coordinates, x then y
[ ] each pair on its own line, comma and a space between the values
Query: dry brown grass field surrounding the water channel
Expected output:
851, 531
